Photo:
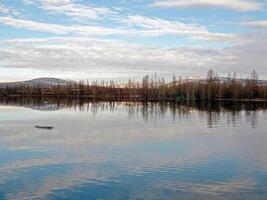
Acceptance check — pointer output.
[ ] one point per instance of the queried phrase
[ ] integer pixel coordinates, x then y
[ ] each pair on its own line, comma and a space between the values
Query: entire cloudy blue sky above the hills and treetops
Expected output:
123, 39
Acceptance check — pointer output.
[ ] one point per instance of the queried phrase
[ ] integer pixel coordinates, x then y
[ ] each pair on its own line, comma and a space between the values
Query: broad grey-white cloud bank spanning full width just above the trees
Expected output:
94, 59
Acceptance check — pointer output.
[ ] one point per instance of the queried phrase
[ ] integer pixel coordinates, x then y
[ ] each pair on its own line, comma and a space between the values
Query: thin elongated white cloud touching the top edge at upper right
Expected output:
237, 5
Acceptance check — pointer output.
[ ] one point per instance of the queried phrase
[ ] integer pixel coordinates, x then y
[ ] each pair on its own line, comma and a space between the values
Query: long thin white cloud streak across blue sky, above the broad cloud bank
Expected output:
137, 26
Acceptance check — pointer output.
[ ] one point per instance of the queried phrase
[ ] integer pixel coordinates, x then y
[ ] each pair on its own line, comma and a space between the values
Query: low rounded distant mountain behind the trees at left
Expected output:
44, 81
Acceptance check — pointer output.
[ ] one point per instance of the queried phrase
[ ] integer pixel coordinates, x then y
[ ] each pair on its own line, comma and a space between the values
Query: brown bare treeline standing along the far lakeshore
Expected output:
152, 89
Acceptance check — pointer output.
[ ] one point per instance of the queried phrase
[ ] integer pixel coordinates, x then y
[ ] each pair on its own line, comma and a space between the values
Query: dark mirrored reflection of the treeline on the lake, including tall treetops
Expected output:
151, 111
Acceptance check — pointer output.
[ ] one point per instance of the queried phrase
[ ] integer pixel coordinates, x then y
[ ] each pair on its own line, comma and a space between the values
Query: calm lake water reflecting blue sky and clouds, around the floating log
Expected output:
132, 151
